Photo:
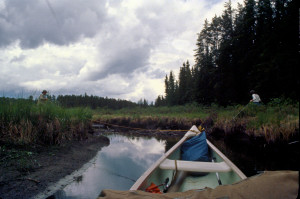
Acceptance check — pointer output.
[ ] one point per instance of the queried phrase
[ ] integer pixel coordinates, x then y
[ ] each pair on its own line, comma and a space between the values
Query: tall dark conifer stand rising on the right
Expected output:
253, 47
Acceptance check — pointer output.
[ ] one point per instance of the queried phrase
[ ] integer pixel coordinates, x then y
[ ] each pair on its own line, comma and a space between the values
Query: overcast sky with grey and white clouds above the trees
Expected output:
119, 49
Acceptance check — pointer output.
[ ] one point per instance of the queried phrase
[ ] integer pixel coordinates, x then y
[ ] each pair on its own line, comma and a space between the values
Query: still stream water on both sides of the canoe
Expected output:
120, 164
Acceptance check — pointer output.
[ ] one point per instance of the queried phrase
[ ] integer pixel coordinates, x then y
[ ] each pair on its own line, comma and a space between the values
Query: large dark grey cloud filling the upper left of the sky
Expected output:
61, 22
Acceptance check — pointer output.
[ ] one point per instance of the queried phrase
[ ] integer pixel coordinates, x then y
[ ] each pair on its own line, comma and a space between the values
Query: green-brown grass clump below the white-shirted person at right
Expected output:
273, 121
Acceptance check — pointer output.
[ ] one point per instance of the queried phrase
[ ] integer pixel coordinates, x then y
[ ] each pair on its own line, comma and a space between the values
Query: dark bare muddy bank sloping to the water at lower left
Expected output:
26, 177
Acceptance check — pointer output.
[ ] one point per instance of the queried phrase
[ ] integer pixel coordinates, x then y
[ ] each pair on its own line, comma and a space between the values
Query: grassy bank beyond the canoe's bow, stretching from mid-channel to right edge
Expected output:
278, 119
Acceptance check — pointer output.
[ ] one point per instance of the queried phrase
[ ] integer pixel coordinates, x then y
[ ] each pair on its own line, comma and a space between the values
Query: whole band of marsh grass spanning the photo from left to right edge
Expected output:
22, 121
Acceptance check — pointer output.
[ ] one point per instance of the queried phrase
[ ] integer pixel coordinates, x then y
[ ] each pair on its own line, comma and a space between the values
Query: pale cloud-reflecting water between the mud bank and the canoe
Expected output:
117, 166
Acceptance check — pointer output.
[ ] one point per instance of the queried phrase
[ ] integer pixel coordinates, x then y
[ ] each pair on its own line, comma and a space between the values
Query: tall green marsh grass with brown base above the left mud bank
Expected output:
22, 121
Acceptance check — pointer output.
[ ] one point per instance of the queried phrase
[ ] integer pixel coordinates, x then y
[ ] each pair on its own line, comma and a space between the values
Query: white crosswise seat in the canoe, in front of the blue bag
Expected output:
195, 166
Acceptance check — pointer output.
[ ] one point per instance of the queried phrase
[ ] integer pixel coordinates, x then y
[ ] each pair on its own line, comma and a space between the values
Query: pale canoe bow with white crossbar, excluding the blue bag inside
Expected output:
171, 174
